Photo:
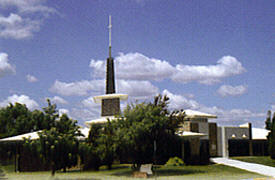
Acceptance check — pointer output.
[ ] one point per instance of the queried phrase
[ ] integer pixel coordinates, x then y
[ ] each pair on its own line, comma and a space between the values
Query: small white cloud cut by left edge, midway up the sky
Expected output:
5, 67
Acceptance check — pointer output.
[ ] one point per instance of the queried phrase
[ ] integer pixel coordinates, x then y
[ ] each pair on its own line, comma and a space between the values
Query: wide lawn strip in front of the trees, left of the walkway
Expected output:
208, 172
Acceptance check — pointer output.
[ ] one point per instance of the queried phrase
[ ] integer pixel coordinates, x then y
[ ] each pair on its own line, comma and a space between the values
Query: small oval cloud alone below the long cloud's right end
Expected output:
227, 90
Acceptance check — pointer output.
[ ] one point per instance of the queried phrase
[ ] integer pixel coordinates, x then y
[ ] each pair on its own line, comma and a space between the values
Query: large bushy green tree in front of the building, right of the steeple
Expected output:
141, 125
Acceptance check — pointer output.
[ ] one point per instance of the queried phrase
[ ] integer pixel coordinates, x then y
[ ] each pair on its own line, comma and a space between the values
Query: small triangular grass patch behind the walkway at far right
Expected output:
265, 160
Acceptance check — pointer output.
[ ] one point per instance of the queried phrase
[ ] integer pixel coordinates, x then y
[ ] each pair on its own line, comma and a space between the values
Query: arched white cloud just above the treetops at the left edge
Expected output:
22, 99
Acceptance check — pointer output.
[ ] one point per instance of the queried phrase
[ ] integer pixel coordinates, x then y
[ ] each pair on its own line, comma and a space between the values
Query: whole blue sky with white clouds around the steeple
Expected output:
210, 56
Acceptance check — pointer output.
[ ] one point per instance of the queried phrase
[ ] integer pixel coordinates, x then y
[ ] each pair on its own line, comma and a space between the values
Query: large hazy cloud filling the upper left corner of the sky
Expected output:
25, 20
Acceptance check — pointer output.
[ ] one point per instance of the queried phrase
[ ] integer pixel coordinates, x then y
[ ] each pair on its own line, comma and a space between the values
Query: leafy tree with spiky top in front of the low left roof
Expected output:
57, 143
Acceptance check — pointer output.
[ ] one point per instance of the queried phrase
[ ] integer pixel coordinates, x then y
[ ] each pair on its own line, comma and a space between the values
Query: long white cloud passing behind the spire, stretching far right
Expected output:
136, 66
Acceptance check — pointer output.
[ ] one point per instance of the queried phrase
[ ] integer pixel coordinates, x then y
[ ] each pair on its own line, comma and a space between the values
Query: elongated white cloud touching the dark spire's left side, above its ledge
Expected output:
78, 88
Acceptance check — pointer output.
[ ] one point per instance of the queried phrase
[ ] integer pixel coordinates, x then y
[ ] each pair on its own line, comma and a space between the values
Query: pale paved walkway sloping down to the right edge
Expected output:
257, 168
